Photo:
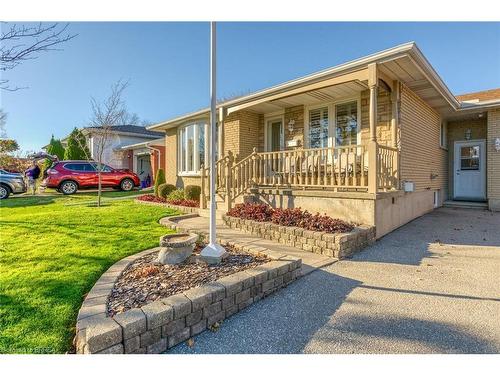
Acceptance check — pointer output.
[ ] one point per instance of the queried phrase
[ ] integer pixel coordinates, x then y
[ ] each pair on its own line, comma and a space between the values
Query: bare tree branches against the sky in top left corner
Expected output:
19, 43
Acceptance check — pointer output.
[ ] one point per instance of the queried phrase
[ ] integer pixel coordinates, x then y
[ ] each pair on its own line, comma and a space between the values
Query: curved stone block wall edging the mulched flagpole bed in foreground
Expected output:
167, 322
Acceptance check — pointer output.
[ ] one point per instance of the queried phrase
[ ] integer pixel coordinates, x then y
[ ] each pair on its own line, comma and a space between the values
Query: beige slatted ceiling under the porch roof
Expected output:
325, 94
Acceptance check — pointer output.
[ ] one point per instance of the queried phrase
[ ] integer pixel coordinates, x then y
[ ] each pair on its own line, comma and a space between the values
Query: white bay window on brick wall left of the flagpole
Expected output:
192, 147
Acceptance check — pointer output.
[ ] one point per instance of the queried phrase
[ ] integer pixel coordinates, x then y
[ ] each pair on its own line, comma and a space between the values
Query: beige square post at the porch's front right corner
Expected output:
372, 145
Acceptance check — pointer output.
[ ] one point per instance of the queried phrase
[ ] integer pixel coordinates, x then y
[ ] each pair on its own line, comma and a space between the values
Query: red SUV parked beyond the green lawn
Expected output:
70, 175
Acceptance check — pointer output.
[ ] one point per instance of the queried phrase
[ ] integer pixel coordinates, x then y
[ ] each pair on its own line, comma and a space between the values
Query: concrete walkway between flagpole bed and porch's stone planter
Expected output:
310, 261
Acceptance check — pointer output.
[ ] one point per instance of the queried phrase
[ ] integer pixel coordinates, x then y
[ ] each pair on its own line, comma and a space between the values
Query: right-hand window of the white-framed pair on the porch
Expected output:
346, 120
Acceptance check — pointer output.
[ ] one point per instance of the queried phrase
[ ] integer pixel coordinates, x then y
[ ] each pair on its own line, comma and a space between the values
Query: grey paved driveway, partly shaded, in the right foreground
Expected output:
432, 286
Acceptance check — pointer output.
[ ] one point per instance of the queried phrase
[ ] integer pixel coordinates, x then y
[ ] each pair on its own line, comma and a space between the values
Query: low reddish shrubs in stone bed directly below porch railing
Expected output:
290, 217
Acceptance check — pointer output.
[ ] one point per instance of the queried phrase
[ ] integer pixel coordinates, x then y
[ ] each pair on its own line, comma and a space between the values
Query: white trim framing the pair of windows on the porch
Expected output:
332, 119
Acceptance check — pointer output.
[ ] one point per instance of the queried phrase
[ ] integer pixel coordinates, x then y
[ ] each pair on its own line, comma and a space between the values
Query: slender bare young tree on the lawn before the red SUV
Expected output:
105, 115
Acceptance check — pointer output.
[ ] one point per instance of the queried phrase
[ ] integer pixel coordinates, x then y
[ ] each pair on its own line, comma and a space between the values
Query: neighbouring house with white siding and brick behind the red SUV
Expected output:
119, 152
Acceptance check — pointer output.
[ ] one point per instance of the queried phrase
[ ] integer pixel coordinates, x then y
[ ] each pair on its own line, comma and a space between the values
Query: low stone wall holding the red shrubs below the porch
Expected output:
338, 245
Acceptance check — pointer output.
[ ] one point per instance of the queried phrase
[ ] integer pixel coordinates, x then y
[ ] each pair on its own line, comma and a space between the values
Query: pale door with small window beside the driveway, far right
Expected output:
470, 170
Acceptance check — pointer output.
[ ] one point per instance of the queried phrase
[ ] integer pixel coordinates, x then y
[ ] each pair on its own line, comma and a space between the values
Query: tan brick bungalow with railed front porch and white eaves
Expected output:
379, 140
